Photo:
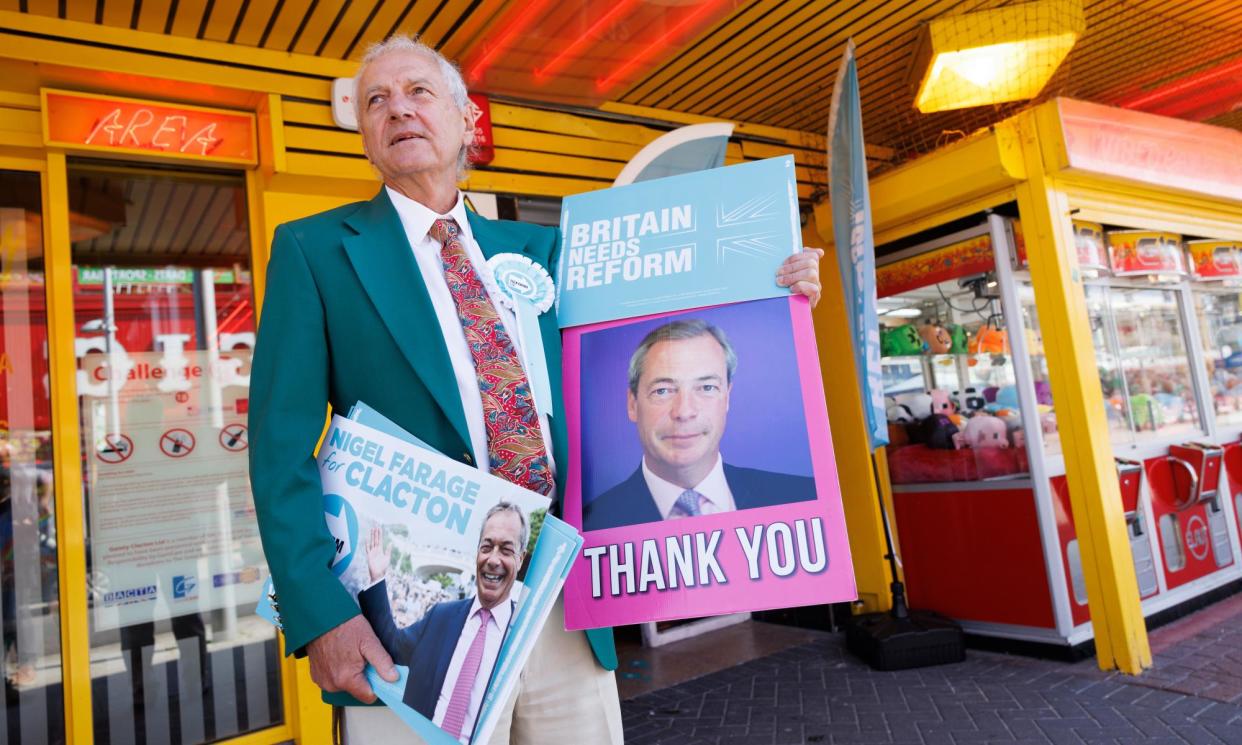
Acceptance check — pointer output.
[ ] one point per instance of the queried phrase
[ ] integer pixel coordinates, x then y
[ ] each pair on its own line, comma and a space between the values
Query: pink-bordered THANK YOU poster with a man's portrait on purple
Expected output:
701, 471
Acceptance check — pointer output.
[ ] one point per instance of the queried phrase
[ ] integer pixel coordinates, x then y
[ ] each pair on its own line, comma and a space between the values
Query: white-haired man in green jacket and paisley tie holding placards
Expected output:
384, 302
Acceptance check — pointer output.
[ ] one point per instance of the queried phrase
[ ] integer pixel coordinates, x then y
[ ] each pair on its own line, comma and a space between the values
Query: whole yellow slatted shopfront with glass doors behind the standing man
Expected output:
141, 181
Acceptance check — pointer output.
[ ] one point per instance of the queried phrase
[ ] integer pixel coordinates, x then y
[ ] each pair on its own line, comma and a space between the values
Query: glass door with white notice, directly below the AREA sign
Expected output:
165, 326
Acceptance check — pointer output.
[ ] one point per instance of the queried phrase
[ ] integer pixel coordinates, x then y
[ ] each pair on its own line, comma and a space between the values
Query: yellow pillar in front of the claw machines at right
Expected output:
1095, 496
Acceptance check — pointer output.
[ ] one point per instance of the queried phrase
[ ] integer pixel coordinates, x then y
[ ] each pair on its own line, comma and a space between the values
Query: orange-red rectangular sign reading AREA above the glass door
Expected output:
107, 124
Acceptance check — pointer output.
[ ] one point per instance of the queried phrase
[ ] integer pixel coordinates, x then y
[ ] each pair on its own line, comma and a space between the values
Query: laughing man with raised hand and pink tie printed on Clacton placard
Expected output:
453, 649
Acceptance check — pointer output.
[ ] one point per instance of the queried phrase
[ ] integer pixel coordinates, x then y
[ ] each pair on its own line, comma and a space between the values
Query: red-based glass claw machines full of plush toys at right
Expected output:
977, 461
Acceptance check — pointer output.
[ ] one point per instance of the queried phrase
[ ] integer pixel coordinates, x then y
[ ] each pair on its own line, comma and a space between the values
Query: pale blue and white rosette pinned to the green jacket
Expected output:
526, 289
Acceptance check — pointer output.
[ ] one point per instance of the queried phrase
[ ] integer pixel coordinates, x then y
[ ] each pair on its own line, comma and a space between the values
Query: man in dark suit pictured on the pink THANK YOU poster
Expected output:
680, 378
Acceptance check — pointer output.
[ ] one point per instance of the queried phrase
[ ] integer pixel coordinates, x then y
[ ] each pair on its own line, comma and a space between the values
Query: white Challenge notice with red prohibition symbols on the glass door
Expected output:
172, 517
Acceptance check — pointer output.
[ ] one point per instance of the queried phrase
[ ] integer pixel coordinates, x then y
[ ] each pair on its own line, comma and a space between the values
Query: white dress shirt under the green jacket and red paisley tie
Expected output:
417, 220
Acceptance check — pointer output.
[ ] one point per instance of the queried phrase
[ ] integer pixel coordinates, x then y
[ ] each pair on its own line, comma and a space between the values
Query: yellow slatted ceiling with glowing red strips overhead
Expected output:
759, 61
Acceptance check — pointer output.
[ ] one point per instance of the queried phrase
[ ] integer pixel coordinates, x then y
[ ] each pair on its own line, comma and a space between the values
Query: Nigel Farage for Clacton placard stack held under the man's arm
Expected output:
432, 551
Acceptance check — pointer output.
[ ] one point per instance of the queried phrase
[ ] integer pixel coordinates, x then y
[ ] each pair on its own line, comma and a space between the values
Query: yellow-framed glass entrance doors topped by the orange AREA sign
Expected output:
132, 562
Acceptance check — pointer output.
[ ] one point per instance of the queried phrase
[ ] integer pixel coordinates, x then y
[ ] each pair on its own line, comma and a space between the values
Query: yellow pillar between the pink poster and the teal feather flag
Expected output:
850, 441
